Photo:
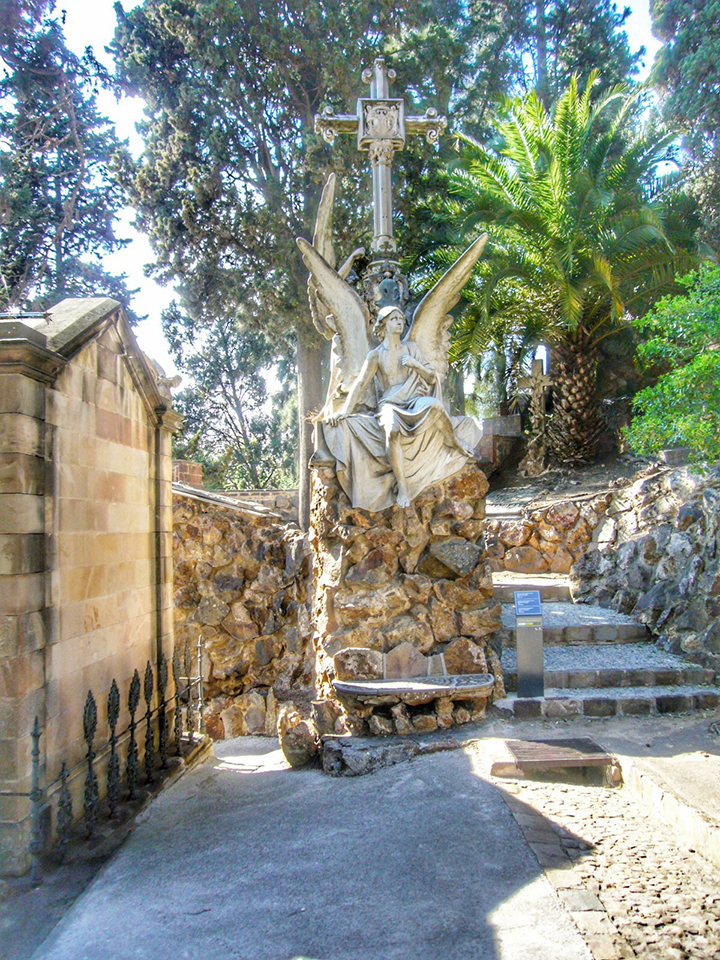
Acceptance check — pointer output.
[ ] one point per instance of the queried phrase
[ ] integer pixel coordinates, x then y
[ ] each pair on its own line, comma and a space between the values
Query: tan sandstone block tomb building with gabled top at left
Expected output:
85, 538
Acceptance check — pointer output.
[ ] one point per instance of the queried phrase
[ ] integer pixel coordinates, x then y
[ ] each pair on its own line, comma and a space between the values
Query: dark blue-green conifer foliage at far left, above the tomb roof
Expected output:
59, 198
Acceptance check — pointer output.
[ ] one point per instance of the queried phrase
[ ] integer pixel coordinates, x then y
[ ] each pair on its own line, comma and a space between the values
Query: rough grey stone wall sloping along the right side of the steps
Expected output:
659, 559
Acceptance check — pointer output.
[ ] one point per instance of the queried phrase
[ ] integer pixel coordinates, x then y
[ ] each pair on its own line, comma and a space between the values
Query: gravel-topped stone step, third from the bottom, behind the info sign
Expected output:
578, 623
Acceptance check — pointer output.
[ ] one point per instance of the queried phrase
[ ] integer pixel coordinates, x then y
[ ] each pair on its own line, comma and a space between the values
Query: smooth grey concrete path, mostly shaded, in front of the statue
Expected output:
244, 859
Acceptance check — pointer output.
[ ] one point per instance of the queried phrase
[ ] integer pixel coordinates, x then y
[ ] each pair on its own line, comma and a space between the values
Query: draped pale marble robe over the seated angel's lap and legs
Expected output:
359, 446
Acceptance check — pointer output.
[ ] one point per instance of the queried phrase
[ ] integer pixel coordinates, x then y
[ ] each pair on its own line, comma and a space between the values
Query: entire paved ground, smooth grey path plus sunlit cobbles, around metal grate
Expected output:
244, 859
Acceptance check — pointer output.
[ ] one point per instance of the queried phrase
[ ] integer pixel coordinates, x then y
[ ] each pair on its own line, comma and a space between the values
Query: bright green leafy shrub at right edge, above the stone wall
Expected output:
683, 407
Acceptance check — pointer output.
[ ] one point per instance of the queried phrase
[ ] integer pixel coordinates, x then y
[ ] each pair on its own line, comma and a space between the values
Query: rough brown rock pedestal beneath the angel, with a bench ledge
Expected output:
395, 590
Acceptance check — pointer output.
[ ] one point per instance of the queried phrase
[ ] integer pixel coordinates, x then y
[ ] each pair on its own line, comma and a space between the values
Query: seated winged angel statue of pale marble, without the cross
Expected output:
384, 423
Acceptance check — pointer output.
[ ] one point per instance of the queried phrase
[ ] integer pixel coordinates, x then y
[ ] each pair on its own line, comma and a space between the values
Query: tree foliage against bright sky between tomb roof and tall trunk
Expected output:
243, 436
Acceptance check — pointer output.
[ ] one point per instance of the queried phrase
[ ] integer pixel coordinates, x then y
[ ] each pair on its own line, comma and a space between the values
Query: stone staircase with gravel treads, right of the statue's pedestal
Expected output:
598, 663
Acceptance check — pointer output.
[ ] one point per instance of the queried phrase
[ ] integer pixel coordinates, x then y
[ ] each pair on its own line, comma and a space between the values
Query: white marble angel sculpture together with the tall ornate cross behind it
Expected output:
384, 424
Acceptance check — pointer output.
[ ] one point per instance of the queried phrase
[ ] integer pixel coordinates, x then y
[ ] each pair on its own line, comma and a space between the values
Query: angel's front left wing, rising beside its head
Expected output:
349, 314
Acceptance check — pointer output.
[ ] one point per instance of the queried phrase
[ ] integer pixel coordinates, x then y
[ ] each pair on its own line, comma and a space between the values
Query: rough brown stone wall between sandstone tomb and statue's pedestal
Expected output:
241, 580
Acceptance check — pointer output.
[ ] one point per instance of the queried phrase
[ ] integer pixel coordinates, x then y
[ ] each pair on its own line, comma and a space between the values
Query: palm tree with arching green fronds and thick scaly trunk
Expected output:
580, 239
